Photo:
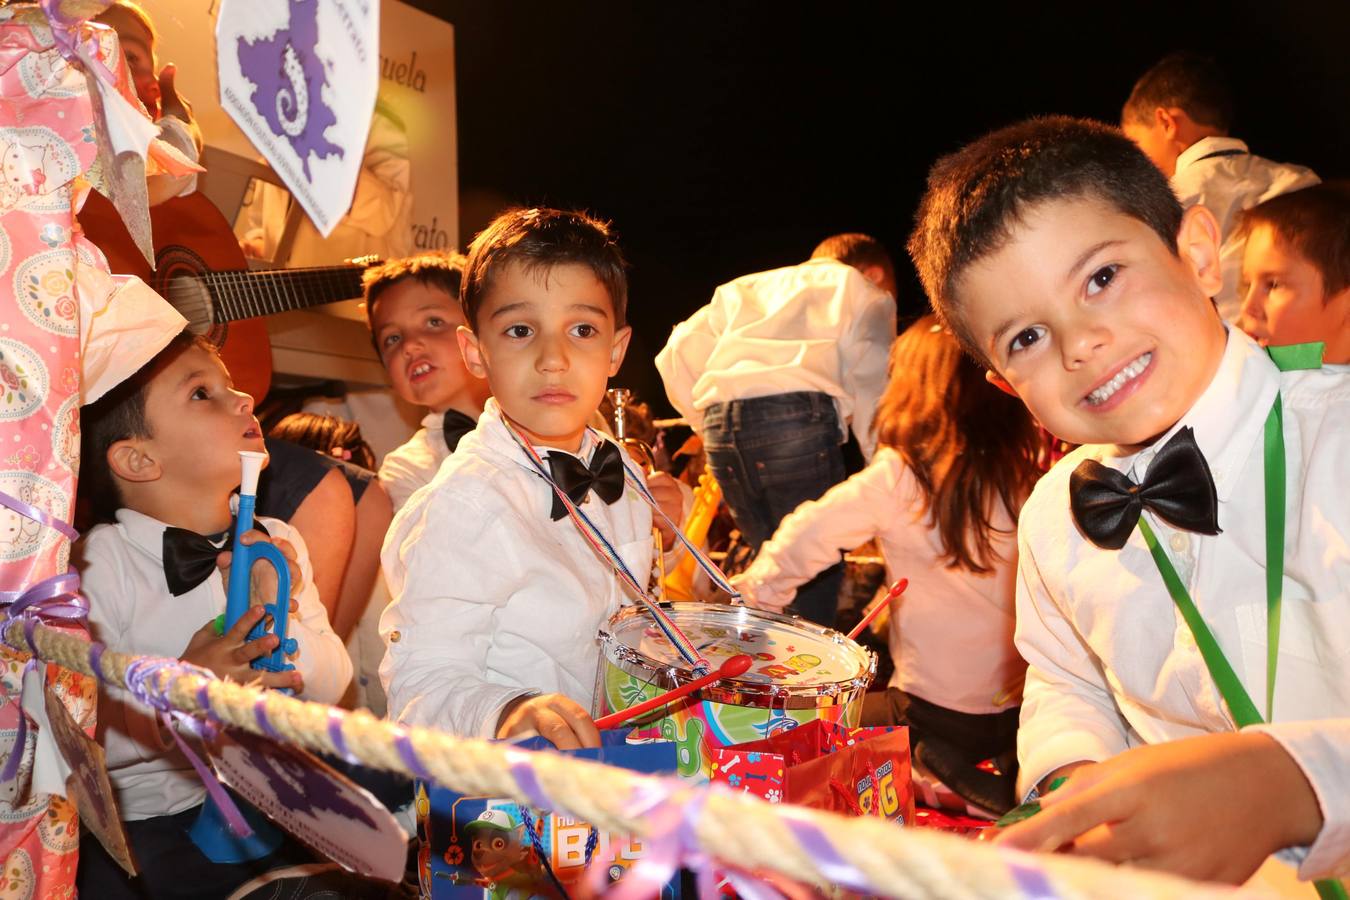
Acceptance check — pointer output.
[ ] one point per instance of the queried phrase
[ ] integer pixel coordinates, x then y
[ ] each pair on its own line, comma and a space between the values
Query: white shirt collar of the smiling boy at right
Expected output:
1228, 418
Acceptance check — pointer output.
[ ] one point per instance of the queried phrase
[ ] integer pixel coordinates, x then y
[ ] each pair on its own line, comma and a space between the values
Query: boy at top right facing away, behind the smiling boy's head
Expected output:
1181, 113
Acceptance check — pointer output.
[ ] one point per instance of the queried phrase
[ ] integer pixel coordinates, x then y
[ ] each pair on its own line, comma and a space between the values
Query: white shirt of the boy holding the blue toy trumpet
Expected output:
133, 612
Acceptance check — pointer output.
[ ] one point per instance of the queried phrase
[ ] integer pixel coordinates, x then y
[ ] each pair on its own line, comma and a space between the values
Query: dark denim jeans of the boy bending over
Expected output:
770, 455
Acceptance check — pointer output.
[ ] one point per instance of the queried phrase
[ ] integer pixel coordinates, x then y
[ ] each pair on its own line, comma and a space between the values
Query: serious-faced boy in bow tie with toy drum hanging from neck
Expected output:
499, 589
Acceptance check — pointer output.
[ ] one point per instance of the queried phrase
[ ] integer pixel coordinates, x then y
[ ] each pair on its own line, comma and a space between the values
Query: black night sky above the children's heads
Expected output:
727, 138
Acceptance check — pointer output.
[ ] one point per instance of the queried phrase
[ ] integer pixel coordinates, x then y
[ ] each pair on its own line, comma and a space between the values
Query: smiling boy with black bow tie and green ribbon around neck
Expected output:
1183, 575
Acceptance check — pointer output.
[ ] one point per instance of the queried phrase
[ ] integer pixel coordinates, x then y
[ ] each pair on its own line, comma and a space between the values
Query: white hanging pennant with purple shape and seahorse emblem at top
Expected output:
300, 80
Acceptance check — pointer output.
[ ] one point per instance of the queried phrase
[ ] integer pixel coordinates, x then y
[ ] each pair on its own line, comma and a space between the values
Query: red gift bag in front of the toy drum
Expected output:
828, 767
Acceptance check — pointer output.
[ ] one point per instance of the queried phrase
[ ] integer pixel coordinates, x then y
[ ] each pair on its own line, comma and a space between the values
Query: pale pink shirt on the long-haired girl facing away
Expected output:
951, 632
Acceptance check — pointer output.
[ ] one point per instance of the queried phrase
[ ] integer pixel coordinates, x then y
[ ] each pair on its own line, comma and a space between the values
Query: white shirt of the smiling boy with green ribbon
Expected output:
1112, 662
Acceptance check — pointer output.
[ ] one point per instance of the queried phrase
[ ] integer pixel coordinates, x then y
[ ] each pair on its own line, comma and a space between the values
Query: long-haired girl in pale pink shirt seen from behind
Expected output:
955, 461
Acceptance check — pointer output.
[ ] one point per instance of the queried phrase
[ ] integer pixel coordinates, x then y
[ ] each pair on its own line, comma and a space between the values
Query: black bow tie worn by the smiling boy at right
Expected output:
1179, 489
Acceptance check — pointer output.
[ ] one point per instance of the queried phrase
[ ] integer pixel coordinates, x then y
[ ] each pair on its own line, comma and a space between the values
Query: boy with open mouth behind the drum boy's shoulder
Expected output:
412, 307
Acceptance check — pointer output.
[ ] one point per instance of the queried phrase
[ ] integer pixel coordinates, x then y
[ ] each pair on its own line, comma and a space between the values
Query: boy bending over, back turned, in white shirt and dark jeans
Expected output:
774, 372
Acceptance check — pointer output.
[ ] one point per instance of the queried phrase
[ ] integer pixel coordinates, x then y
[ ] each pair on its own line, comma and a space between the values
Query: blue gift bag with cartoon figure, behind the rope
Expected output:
492, 848
